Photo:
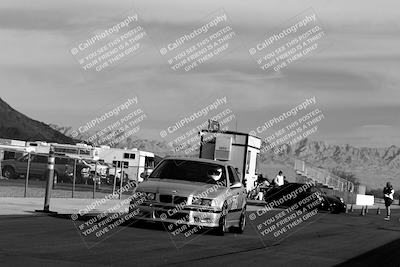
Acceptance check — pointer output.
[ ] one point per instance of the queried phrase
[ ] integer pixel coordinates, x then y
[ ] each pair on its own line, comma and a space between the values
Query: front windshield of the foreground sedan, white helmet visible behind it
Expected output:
192, 171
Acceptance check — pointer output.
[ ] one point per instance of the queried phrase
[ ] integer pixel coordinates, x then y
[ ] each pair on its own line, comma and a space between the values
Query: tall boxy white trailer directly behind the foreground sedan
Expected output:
241, 149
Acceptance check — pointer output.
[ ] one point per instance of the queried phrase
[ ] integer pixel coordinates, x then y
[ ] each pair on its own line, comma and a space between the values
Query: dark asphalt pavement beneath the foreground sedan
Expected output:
324, 240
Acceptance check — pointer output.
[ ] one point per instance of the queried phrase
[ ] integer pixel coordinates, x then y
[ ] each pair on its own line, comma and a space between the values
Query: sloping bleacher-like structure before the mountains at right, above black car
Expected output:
323, 176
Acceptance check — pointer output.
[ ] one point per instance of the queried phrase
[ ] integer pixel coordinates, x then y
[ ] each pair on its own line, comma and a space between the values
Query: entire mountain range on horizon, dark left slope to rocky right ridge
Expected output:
371, 166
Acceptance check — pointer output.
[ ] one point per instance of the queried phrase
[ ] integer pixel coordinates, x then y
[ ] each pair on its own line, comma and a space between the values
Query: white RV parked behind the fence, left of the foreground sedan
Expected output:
133, 161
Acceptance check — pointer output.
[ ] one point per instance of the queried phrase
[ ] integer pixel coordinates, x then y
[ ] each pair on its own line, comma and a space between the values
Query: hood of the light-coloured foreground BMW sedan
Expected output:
181, 188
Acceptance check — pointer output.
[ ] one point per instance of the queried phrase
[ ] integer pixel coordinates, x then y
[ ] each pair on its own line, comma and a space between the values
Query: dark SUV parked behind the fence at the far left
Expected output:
13, 168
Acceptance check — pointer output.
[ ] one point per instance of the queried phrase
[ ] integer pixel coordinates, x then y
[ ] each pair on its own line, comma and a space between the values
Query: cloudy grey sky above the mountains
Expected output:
354, 74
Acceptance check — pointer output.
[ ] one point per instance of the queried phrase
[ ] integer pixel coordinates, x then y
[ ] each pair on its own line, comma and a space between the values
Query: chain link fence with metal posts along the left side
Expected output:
25, 174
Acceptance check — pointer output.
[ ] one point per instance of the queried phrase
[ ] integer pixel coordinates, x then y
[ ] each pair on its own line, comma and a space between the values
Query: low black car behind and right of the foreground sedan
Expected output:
327, 203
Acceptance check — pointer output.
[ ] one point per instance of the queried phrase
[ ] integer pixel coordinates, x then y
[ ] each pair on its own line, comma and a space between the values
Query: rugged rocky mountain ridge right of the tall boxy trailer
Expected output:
371, 166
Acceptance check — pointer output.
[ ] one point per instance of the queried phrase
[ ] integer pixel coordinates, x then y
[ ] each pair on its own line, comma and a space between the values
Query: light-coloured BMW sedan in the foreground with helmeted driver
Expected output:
203, 192
